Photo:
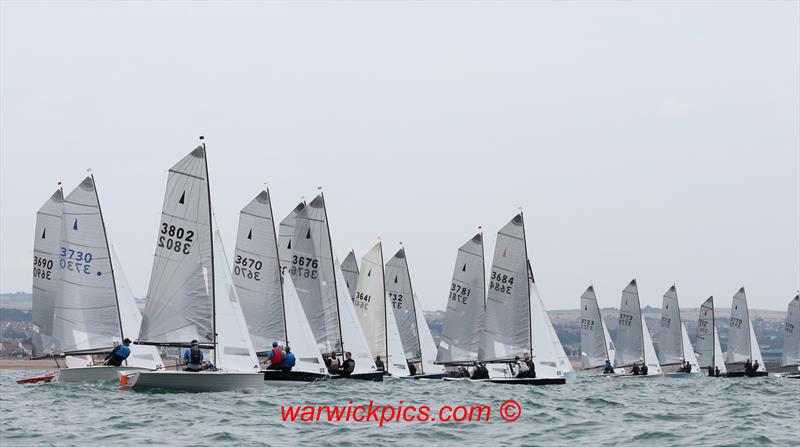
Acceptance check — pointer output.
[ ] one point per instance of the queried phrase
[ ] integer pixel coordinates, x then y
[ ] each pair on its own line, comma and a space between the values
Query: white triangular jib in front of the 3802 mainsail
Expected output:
235, 350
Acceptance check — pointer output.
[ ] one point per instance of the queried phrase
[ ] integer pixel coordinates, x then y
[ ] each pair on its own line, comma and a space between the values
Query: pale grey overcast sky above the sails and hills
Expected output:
652, 140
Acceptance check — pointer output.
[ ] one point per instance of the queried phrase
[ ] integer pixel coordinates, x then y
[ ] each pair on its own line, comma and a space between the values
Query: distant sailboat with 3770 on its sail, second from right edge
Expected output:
742, 343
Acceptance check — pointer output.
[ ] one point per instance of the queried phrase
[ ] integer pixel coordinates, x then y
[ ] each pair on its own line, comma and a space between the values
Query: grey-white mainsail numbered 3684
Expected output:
507, 327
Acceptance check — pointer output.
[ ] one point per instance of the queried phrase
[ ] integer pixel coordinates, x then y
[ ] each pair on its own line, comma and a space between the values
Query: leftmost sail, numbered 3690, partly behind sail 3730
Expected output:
46, 249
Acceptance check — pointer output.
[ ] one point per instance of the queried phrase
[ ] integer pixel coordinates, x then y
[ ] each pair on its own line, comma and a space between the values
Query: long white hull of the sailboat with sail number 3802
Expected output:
193, 381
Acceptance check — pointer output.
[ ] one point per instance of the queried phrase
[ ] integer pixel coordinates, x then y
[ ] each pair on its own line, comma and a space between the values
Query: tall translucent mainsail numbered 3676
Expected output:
312, 270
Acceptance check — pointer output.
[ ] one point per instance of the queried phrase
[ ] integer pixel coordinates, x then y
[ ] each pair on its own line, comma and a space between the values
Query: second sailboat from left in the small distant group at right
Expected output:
634, 345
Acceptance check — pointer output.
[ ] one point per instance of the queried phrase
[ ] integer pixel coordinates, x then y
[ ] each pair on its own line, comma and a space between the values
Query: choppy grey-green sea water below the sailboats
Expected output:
590, 410
